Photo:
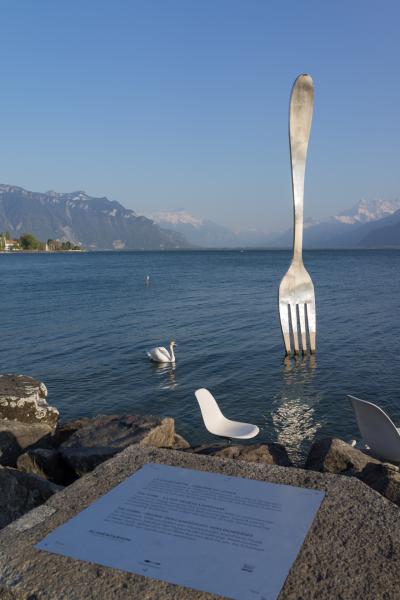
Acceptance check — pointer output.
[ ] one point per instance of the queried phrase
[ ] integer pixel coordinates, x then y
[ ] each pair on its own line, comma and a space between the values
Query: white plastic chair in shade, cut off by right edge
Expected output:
377, 429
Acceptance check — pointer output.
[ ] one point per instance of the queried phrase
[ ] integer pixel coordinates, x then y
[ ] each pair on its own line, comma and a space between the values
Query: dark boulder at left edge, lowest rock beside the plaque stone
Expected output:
20, 492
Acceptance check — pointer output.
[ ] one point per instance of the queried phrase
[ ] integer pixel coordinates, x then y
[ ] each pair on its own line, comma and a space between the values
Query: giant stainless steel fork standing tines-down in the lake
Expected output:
296, 291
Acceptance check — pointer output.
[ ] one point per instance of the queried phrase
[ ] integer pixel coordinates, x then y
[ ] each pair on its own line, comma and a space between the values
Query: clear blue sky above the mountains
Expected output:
181, 103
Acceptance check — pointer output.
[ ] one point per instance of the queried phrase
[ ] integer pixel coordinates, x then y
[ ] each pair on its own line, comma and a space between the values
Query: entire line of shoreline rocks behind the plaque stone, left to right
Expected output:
38, 456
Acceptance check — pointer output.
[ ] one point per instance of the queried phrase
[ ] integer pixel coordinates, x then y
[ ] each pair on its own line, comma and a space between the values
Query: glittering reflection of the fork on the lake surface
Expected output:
293, 409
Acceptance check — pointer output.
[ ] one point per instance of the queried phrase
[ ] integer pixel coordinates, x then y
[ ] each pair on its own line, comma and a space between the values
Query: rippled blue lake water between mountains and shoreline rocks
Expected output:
82, 324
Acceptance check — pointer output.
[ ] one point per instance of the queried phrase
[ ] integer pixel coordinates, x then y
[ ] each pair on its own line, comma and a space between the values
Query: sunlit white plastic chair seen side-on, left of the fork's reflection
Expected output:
217, 424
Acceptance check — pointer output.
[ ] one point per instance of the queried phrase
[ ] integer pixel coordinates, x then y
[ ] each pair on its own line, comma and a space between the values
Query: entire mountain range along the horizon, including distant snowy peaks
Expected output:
102, 224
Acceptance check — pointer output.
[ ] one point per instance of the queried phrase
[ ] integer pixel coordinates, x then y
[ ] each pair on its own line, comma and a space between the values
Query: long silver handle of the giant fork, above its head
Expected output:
300, 117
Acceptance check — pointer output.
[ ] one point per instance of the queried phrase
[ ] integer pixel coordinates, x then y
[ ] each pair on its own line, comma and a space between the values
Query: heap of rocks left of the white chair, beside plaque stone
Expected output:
38, 456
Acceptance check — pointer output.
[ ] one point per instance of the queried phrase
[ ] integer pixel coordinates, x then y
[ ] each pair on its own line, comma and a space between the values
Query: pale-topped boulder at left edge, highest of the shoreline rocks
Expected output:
23, 399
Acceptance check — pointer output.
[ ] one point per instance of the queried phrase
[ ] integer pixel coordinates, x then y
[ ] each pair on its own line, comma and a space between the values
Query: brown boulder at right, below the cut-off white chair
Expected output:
331, 455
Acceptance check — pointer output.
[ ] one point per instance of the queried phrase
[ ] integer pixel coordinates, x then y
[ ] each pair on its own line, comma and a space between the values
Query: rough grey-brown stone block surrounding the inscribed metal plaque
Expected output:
351, 551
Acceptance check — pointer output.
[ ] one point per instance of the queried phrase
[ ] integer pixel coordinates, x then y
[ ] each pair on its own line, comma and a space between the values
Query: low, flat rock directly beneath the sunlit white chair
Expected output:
266, 454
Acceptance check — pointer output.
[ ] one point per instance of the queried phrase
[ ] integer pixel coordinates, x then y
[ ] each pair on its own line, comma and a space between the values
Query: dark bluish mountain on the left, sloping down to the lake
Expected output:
95, 223
